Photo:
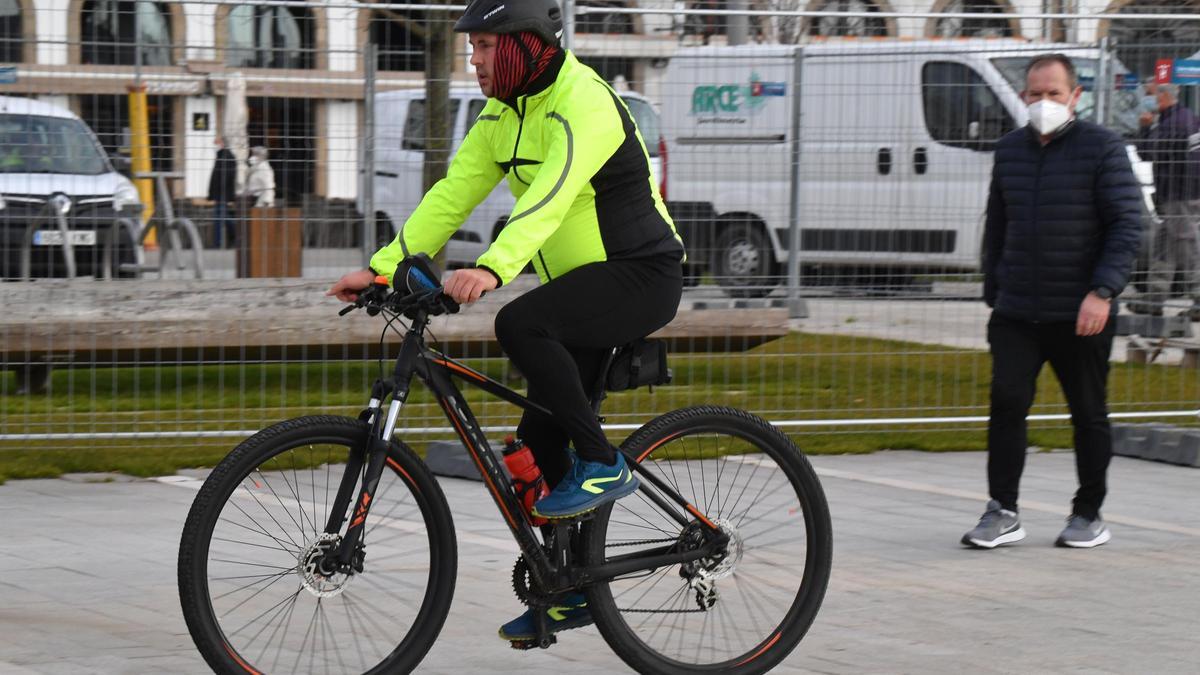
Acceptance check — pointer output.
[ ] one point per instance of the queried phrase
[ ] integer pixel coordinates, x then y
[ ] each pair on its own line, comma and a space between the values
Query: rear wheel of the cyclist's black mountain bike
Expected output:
740, 613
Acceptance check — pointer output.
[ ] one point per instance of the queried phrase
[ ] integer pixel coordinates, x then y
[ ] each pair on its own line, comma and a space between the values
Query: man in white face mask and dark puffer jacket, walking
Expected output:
1063, 230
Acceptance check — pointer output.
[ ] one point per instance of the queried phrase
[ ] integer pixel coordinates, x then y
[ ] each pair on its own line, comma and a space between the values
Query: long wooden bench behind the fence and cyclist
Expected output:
51, 324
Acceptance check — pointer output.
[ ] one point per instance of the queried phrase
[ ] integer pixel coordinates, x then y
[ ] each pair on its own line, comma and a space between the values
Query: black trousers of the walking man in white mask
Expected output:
1019, 349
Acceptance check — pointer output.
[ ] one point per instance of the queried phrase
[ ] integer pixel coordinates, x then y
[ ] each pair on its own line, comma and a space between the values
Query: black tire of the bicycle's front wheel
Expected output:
251, 453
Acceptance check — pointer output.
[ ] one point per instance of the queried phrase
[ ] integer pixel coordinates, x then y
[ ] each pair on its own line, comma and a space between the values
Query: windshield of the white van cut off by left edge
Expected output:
43, 145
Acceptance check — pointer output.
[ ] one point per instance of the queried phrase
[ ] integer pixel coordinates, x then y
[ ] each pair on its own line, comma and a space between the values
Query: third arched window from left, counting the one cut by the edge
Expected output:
271, 38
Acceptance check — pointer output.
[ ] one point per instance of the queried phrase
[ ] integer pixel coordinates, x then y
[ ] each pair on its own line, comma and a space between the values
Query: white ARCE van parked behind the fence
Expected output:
896, 151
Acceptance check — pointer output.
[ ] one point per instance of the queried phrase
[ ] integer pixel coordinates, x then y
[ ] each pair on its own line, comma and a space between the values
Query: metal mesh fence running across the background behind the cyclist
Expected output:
183, 181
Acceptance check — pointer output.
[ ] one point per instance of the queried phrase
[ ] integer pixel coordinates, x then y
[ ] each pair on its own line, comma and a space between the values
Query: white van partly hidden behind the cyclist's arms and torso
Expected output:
400, 156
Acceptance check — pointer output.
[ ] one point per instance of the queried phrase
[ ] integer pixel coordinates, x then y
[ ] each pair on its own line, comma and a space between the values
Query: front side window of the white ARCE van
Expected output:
961, 110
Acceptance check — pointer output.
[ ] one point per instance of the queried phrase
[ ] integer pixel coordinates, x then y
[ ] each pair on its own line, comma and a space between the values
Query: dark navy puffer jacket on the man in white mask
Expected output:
1063, 219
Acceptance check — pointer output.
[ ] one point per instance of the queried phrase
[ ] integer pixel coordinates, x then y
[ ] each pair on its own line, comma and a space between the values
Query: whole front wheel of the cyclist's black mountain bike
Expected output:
251, 596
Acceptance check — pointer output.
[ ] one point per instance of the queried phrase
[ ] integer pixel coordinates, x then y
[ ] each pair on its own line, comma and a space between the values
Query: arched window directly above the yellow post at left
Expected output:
113, 31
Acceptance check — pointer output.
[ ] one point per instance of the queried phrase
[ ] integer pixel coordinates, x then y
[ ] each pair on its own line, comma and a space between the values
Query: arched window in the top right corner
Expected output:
1141, 44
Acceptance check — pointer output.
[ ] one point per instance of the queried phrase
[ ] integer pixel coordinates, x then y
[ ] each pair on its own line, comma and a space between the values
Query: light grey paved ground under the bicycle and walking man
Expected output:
88, 578
